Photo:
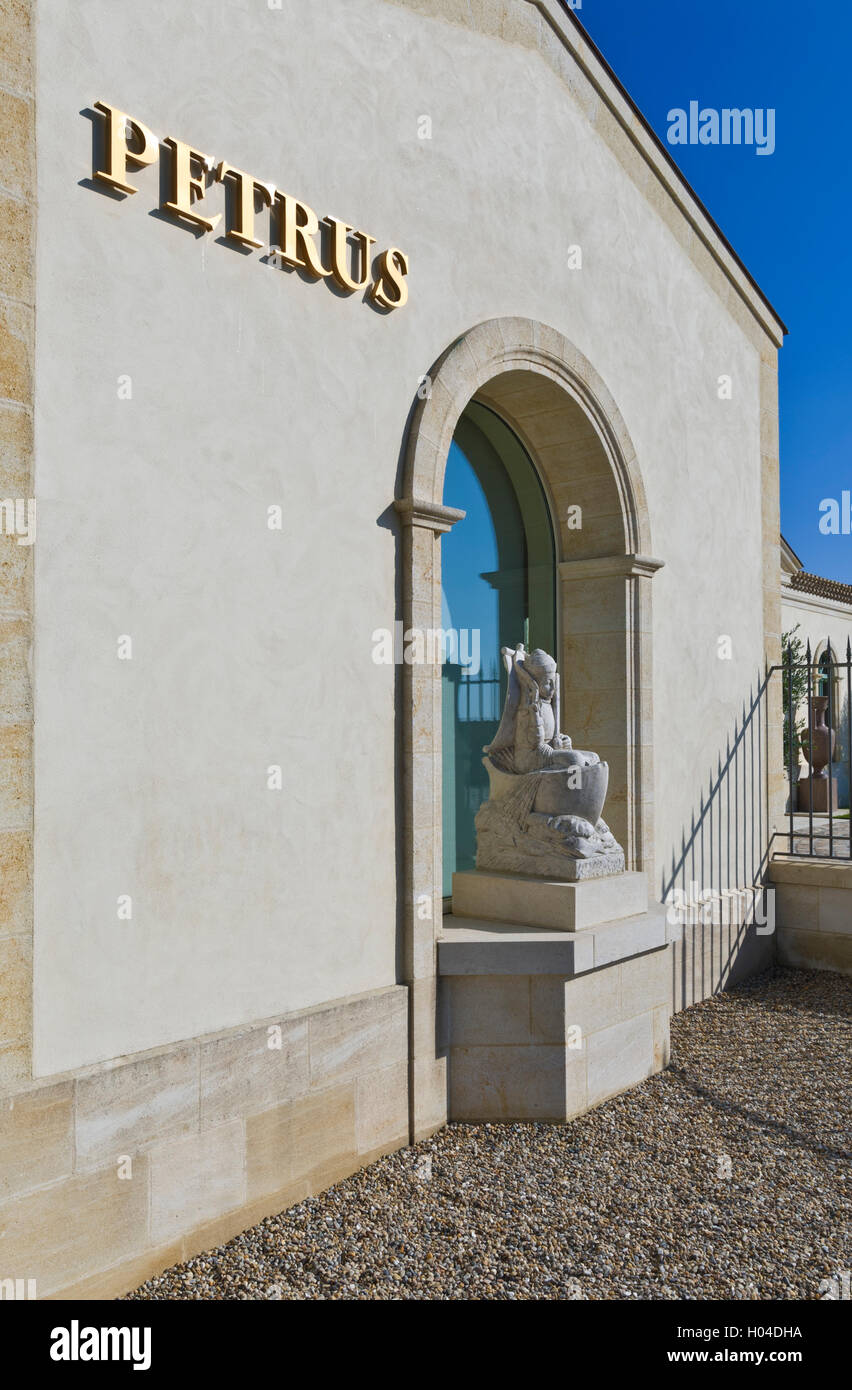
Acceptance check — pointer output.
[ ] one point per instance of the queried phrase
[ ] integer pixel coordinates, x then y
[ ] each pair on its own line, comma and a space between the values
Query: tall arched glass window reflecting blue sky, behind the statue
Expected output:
498, 569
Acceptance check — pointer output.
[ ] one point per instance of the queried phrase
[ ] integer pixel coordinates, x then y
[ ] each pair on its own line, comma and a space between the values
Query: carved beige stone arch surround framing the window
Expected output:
564, 414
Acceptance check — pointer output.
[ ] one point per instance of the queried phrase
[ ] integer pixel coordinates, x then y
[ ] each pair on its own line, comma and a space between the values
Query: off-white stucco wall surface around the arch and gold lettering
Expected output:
252, 389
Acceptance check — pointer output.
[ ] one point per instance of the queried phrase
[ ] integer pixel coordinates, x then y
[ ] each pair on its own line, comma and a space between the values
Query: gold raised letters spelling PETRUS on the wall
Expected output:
298, 237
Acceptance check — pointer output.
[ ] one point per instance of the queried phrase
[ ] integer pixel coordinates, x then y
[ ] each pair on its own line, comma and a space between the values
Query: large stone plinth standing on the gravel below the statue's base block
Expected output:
546, 1025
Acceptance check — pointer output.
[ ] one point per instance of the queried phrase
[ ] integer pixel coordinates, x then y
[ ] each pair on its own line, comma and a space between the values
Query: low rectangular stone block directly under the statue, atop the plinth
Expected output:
548, 904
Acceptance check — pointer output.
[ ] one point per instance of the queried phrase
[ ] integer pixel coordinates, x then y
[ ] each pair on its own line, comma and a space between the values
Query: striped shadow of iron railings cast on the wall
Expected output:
715, 888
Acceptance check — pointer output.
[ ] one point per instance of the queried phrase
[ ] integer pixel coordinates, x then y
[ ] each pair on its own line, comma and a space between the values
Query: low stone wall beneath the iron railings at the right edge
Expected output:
814, 914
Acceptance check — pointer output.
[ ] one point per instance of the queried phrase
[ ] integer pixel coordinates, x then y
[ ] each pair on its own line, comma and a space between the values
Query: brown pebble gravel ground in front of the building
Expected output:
728, 1177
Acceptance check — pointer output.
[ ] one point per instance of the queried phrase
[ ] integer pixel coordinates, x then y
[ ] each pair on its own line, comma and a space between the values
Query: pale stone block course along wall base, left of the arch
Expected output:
112, 1175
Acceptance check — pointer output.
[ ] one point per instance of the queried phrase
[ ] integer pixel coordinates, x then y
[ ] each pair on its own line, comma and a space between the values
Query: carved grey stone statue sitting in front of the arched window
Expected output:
544, 812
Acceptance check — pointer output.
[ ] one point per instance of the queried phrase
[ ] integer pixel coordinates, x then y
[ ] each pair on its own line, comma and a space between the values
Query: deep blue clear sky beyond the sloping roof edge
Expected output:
787, 216
